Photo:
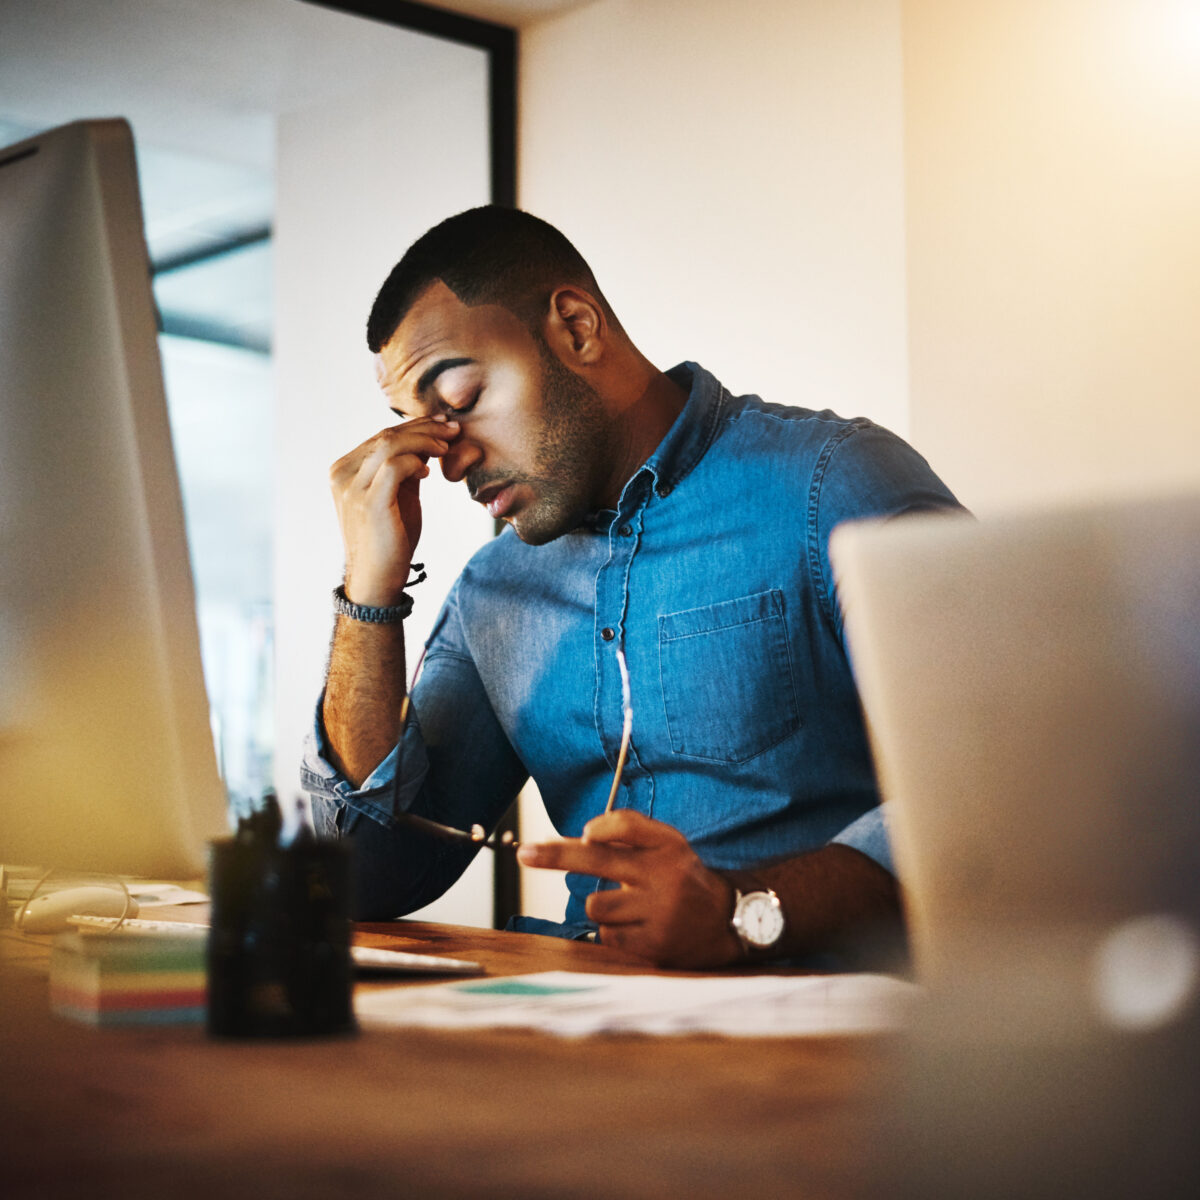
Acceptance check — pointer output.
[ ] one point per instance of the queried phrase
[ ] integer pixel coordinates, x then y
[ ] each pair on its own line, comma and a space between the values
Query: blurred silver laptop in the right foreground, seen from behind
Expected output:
1031, 686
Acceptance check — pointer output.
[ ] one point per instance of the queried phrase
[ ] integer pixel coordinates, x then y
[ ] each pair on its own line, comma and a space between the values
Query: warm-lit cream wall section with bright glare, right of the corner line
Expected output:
1054, 245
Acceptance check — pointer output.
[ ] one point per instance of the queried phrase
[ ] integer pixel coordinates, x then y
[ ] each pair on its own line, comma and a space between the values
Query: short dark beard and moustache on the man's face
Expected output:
572, 459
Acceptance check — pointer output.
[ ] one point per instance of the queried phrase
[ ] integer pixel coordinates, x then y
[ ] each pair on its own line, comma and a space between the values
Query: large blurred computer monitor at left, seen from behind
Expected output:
107, 763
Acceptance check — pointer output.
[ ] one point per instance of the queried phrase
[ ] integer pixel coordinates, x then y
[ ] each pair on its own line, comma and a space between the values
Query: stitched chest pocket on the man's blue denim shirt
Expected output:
727, 673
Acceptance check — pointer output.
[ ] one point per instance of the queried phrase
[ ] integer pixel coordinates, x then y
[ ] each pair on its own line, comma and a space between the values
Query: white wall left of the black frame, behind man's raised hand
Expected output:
358, 182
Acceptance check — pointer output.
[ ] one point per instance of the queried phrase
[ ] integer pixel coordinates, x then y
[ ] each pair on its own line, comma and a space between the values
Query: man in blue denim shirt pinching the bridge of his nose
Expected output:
651, 513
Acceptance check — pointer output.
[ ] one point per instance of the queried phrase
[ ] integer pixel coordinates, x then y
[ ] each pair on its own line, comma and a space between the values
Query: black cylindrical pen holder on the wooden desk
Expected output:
279, 952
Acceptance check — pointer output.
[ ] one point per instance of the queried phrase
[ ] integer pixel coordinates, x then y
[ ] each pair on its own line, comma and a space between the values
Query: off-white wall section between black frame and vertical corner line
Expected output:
734, 173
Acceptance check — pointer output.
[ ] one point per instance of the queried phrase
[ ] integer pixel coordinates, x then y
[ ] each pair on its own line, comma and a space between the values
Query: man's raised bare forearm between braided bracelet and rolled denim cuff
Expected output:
364, 693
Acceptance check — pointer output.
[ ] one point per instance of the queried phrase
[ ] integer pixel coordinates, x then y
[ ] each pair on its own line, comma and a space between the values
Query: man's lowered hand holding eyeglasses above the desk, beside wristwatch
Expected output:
670, 908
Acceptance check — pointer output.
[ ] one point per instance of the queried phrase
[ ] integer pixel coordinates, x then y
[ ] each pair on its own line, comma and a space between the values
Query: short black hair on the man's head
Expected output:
490, 255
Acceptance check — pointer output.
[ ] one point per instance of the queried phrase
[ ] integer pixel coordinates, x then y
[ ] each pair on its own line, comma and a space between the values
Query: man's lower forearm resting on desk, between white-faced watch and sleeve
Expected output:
832, 898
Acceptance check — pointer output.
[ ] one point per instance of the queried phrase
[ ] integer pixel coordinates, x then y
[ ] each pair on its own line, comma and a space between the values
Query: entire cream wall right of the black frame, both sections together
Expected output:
807, 195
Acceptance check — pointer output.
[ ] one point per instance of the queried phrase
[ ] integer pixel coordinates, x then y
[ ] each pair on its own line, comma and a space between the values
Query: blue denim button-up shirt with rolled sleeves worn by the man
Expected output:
715, 575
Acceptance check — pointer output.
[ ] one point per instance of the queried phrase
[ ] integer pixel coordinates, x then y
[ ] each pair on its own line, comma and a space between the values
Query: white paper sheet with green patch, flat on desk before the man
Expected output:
573, 1005
